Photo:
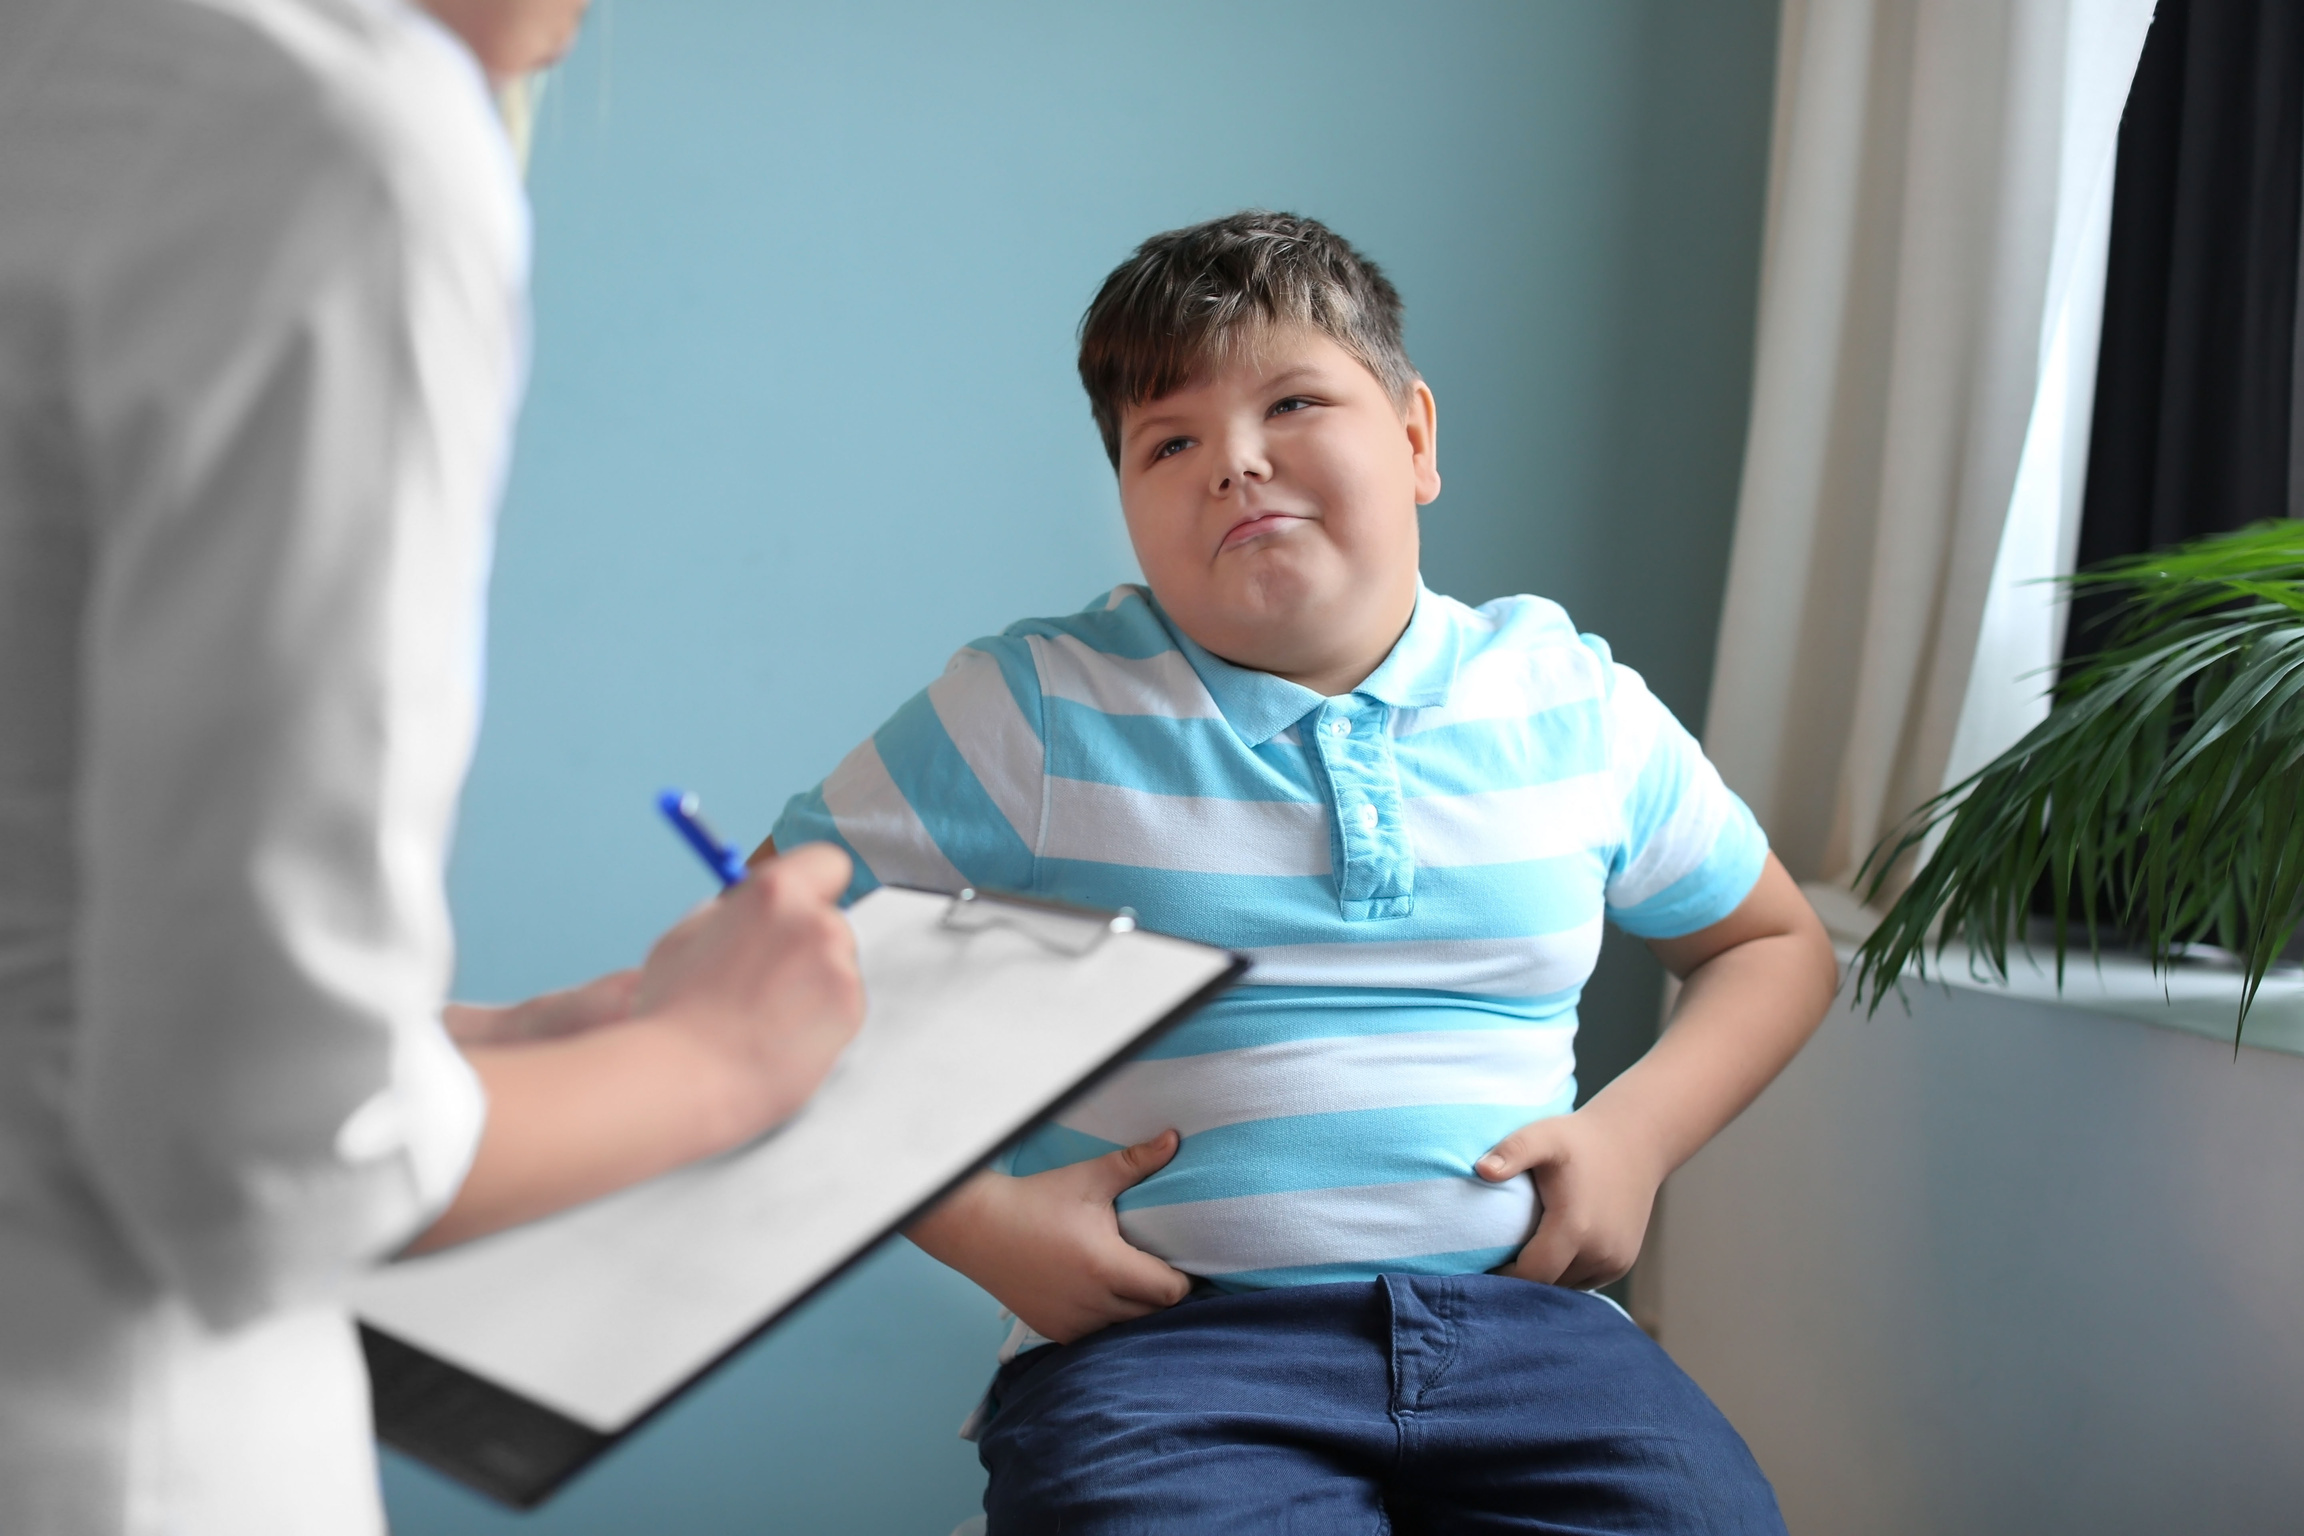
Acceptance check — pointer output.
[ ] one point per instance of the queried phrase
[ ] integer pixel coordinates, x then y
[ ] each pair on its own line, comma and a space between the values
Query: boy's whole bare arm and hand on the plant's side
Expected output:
1754, 989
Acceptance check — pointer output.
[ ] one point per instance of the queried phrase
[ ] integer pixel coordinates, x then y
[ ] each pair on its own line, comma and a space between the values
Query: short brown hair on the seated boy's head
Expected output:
1188, 298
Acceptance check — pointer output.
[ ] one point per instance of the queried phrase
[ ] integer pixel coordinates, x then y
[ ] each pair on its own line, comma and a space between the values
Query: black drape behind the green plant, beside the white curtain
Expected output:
2195, 379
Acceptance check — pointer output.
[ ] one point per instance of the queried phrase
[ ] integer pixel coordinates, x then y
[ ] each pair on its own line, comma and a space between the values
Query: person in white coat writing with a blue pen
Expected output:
262, 340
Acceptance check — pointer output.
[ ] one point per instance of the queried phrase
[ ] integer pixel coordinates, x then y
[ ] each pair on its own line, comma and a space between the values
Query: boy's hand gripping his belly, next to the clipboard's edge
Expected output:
1049, 1245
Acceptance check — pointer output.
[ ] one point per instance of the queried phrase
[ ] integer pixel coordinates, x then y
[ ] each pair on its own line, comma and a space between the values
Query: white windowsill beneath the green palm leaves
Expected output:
2190, 998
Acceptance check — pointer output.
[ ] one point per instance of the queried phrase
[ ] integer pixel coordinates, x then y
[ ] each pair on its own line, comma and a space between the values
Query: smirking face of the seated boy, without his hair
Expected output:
1275, 508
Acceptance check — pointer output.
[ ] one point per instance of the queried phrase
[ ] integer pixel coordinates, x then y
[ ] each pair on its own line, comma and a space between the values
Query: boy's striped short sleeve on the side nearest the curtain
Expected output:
1690, 849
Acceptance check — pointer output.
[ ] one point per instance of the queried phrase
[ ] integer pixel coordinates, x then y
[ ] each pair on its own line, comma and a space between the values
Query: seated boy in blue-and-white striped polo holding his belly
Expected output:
1317, 1259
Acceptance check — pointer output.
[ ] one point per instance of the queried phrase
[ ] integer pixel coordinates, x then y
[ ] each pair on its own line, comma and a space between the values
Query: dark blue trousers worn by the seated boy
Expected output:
1407, 1404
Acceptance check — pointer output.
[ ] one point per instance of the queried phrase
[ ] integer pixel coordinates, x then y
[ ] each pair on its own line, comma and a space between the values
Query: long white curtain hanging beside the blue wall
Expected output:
1930, 305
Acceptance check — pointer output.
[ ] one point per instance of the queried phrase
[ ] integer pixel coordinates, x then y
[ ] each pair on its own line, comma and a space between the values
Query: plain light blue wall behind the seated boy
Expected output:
805, 420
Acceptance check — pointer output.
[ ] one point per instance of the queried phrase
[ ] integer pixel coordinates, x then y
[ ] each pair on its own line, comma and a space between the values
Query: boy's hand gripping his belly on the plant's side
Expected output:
1596, 1187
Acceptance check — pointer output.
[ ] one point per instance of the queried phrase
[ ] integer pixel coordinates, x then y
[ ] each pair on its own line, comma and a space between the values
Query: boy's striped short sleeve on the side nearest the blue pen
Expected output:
950, 791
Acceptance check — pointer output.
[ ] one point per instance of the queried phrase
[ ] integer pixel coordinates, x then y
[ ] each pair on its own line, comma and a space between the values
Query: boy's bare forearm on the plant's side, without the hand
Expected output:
1745, 1010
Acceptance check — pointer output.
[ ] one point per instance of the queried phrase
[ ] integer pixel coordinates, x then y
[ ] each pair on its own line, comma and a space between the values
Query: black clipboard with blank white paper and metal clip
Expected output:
522, 1358
